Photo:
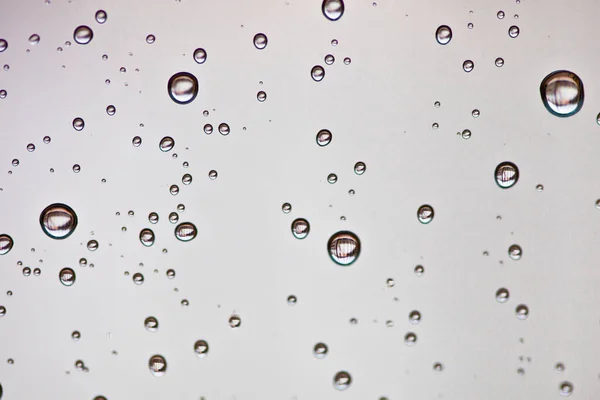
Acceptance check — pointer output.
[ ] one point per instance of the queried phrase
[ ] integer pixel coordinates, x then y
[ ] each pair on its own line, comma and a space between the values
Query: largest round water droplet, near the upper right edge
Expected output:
562, 93
